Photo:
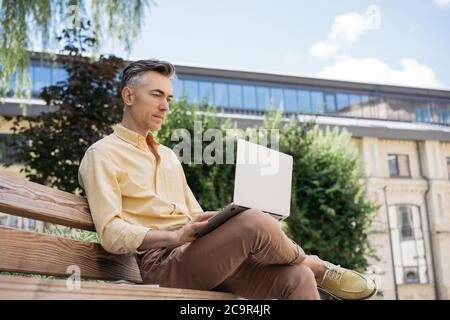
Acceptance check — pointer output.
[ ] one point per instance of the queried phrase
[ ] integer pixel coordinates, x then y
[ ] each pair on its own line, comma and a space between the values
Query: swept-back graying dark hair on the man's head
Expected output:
133, 72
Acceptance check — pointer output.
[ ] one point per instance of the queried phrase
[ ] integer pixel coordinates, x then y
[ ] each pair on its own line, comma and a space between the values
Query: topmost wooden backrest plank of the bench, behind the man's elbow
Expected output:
24, 198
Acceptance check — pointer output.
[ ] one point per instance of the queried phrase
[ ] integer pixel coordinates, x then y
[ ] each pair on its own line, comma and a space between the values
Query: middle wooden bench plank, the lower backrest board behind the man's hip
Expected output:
31, 252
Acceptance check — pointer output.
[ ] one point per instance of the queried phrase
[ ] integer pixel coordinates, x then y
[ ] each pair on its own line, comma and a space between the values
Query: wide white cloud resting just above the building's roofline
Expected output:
371, 70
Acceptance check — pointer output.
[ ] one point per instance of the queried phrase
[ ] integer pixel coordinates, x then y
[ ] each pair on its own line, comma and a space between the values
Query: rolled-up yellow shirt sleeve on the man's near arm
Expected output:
98, 177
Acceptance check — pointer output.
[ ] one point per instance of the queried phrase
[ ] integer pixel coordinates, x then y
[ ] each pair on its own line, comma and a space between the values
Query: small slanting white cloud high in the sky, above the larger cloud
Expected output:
346, 29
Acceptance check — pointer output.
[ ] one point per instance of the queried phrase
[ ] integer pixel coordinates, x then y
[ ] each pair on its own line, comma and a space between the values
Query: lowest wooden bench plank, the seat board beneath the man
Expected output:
21, 288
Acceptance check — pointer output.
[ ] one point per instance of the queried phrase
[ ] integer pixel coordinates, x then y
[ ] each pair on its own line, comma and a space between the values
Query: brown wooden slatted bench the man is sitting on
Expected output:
30, 252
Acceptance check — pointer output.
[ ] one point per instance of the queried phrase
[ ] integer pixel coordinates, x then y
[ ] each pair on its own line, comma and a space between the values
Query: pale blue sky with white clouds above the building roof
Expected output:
401, 42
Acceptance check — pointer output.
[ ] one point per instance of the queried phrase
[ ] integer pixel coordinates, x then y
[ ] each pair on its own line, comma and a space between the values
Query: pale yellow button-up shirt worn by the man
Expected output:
132, 190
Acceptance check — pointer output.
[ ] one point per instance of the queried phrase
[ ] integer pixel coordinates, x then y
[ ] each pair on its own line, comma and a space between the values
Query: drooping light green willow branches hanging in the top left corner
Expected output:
20, 19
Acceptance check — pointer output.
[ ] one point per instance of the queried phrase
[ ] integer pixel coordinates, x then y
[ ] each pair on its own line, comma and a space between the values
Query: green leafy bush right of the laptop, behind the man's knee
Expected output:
330, 213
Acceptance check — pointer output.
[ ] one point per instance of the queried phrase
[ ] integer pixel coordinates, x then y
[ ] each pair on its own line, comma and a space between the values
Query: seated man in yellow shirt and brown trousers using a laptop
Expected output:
141, 203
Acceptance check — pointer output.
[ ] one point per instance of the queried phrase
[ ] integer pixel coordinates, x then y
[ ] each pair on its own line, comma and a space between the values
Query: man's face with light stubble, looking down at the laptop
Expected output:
148, 101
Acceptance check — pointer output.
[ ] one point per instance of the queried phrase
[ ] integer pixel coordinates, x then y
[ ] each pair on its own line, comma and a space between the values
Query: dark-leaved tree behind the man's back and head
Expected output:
87, 104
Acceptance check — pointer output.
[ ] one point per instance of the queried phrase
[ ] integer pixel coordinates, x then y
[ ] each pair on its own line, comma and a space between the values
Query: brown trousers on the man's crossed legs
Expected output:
249, 255
